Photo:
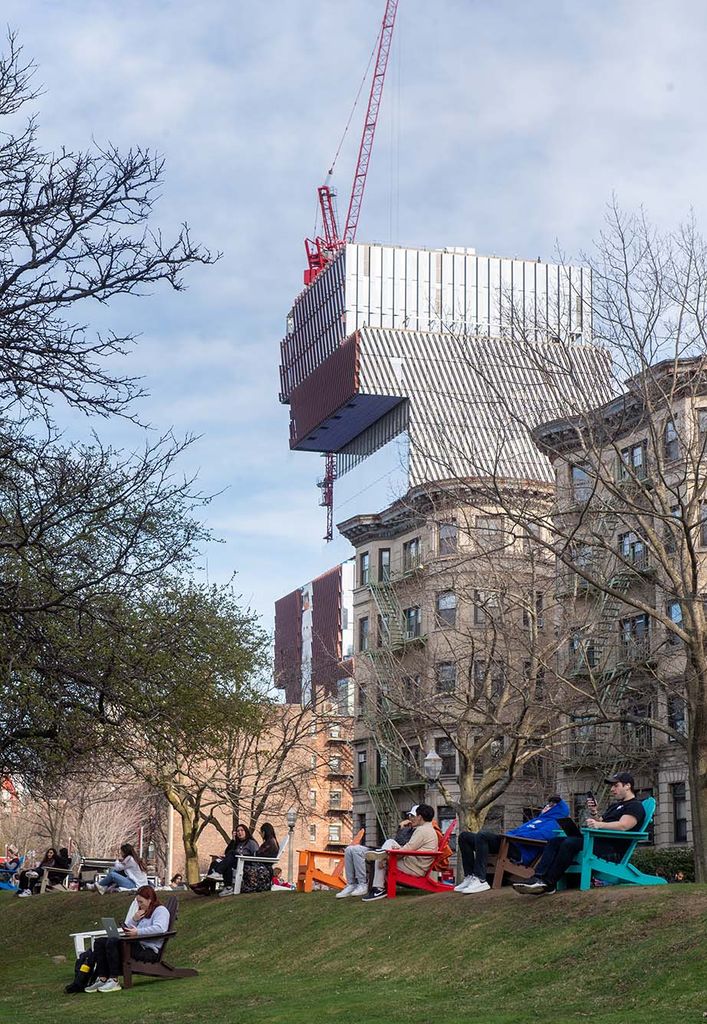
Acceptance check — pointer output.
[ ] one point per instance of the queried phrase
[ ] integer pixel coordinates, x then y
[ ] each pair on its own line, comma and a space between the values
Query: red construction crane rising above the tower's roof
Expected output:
322, 250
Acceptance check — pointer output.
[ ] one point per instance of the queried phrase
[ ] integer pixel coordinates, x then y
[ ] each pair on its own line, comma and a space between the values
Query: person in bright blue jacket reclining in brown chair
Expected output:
476, 847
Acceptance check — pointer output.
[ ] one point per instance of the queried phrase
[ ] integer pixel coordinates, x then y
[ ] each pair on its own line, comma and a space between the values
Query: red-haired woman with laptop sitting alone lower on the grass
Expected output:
145, 922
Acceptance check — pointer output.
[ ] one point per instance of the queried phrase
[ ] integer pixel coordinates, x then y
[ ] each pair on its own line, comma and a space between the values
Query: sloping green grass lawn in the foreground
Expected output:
607, 957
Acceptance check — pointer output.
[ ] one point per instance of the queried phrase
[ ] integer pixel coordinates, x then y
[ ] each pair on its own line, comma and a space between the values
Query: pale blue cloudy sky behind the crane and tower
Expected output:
507, 126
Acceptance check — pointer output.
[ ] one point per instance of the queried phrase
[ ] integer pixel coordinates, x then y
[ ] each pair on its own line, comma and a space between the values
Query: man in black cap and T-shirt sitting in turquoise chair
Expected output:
626, 815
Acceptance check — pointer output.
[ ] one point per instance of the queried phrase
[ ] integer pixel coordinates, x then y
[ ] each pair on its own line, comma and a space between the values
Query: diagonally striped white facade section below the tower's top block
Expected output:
472, 401
